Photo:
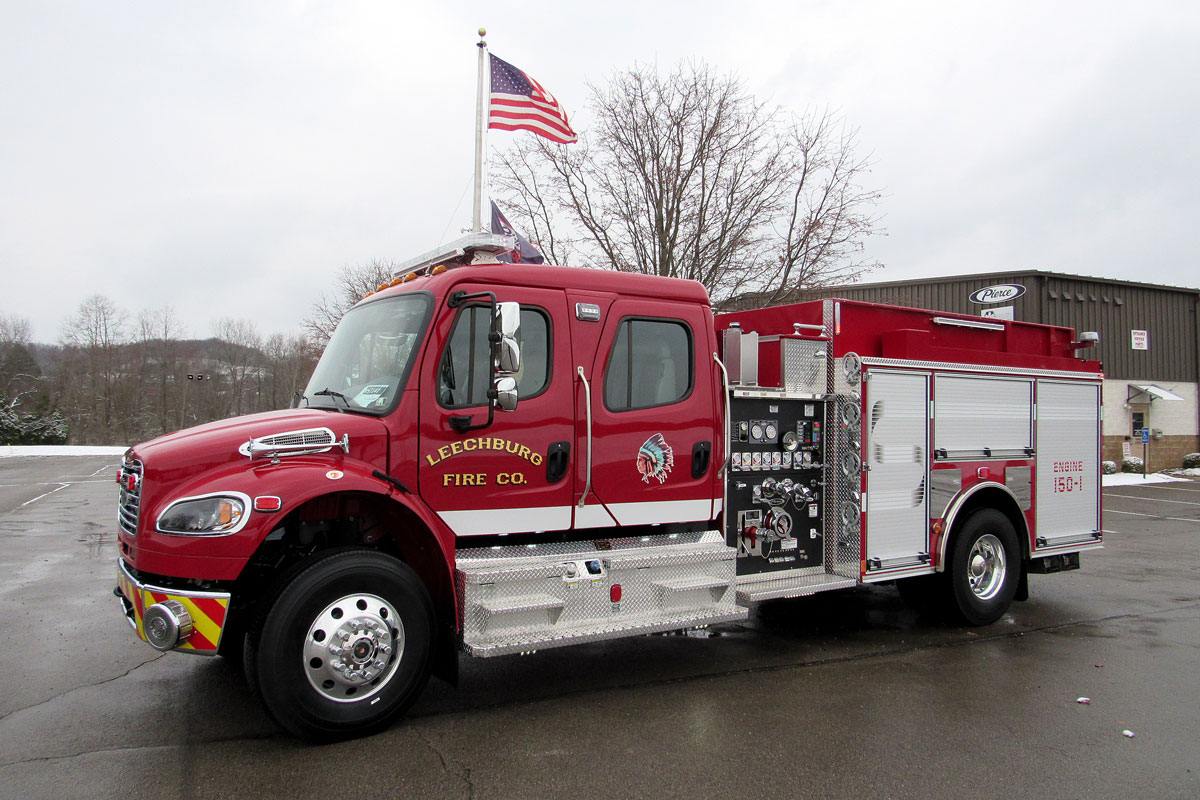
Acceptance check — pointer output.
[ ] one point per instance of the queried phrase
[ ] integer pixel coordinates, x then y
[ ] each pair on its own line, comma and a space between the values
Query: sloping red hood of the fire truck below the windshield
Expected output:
183, 454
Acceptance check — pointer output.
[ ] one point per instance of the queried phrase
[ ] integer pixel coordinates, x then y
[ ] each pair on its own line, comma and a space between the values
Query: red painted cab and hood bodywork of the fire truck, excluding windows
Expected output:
206, 459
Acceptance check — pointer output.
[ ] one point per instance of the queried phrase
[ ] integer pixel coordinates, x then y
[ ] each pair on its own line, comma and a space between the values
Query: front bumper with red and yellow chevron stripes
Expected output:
206, 612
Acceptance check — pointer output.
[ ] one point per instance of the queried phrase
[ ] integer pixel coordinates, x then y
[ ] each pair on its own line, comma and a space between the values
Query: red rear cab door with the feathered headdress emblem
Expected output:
653, 414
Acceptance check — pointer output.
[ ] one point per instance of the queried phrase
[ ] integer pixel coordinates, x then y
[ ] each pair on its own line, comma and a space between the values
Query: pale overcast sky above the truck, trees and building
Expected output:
227, 158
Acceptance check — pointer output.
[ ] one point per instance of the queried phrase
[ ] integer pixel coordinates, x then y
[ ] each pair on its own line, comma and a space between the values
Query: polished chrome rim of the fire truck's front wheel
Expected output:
353, 648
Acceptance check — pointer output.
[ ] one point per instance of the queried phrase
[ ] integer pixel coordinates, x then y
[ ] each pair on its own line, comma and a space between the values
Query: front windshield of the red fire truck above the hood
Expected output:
369, 358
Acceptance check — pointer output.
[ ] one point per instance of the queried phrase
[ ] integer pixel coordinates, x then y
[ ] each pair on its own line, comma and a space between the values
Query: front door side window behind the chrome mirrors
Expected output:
463, 377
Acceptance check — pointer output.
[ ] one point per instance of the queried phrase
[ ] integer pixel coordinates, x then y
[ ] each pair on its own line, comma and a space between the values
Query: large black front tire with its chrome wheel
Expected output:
345, 648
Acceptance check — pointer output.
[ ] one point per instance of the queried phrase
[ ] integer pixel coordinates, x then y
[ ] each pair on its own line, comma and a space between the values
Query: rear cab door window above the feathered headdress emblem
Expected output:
650, 365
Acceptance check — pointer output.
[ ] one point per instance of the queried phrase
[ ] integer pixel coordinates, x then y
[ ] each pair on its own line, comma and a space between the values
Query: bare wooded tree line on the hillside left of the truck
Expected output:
116, 378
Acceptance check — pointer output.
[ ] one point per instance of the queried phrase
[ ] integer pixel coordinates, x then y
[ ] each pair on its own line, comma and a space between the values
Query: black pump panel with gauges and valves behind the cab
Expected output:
775, 490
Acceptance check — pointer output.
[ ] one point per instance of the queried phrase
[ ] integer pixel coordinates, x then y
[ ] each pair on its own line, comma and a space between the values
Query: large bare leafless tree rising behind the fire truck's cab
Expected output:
688, 176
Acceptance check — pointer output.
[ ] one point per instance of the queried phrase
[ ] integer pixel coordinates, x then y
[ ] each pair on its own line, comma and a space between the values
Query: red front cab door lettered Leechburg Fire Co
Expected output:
513, 476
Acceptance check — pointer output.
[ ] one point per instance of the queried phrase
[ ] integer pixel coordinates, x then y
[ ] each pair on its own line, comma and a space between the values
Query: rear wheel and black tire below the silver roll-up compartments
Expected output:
985, 568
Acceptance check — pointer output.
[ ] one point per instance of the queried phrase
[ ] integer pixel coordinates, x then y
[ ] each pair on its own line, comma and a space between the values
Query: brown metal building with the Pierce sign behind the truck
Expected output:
1150, 342
